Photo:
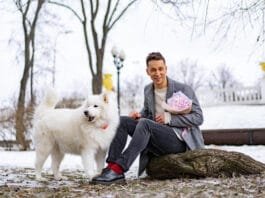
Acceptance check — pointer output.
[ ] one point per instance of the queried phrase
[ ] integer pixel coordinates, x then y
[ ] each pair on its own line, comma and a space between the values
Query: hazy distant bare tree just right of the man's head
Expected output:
188, 72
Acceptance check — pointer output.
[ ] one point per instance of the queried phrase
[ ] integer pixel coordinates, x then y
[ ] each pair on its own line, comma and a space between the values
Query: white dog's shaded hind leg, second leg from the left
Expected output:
57, 157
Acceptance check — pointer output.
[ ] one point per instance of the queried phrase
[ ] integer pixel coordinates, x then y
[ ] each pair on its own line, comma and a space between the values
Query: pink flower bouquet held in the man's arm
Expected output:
178, 103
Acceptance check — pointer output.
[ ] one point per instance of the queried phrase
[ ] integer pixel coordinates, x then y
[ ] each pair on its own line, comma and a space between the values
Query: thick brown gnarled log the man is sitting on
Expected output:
203, 163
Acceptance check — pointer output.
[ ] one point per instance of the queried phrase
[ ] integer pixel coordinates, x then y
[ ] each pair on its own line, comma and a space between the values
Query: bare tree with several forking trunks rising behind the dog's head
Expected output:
95, 38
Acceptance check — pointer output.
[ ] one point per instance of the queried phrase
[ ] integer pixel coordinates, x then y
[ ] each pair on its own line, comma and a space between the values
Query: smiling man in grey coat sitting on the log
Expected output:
154, 132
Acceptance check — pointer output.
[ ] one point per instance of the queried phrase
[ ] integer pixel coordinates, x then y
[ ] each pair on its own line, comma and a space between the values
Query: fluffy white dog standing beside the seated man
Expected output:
86, 131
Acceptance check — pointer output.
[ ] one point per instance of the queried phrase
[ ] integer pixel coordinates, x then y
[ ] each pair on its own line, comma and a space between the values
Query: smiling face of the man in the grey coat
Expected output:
157, 71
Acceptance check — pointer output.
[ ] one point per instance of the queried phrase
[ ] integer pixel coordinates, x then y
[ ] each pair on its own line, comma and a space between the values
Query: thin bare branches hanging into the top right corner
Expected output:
226, 17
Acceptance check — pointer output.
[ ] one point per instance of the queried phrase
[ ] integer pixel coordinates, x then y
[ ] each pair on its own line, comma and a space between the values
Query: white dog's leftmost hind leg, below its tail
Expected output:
41, 156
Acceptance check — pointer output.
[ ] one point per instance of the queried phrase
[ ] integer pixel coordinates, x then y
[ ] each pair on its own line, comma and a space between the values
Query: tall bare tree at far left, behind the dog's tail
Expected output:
29, 11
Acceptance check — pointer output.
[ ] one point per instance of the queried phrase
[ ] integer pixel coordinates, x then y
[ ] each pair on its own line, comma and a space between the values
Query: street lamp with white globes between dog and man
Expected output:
119, 57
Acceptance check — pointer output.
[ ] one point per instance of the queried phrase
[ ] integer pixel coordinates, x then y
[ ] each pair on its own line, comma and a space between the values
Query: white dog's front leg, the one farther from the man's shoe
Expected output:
89, 163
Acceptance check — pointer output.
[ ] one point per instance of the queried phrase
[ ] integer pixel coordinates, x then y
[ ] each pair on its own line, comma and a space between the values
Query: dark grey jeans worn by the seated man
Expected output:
146, 135
